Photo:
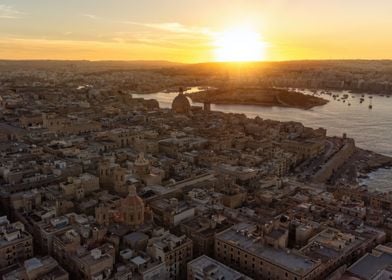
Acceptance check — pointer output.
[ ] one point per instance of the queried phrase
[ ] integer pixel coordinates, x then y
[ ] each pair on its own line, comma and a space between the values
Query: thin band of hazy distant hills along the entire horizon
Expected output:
208, 68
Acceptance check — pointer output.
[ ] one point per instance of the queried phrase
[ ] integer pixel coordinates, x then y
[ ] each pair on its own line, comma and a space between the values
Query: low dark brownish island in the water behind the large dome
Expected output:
258, 96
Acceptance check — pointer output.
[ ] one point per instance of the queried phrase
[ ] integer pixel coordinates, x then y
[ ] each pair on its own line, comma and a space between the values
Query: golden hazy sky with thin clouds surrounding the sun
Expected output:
183, 30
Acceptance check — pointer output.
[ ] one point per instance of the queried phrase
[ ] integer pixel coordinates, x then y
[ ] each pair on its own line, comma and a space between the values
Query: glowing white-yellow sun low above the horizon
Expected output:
239, 44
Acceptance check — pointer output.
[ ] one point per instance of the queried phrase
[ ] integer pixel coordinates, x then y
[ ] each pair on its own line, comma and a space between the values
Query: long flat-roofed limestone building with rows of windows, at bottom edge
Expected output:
240, 248
